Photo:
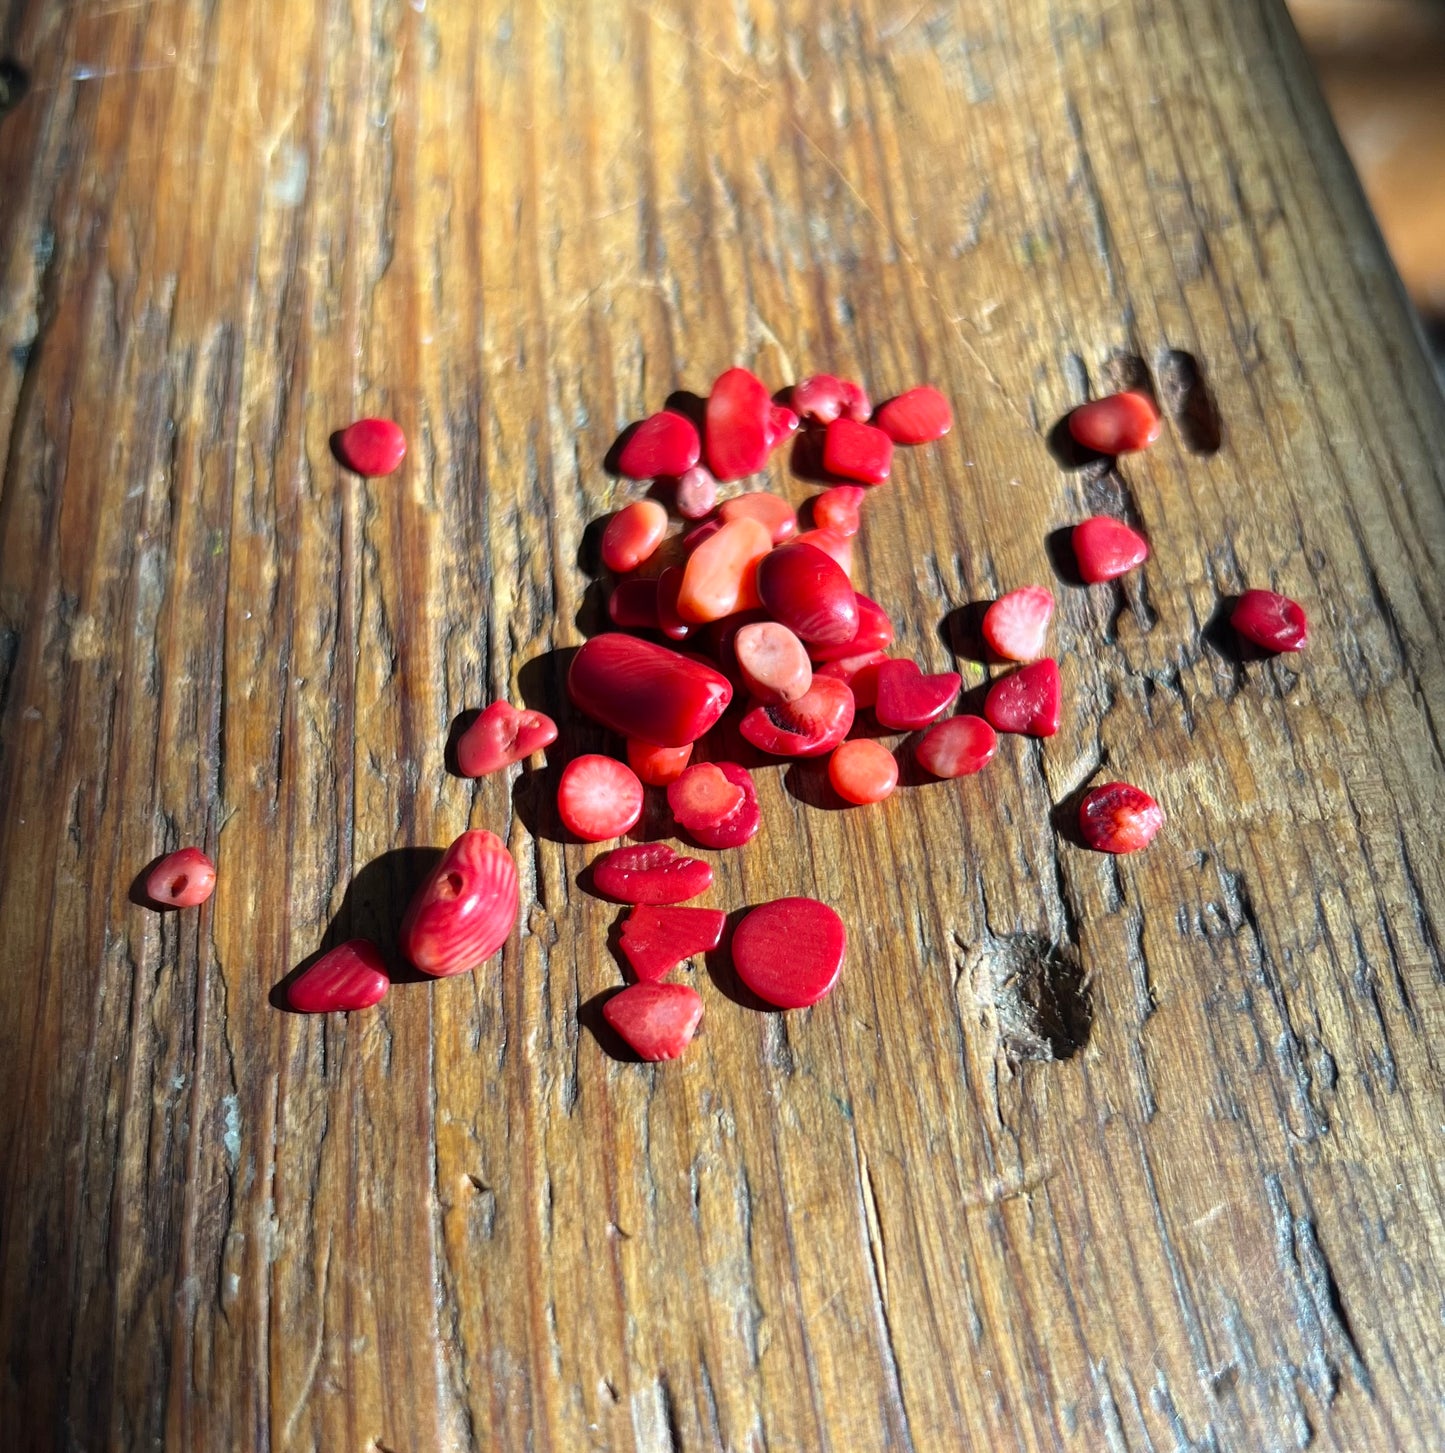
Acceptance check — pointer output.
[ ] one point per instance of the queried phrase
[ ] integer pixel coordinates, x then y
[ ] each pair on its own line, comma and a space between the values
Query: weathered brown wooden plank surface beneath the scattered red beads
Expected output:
456, 1223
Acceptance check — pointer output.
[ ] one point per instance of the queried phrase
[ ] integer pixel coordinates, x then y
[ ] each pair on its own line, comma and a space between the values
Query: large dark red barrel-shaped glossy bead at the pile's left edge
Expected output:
645, 691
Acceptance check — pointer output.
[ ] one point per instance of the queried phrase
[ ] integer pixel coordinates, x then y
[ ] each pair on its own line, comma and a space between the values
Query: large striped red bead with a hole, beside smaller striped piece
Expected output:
464, 910
